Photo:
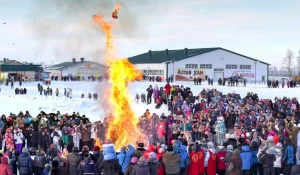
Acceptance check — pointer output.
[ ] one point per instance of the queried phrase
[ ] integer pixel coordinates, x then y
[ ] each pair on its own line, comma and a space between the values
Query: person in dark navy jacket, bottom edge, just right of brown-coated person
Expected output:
87, 165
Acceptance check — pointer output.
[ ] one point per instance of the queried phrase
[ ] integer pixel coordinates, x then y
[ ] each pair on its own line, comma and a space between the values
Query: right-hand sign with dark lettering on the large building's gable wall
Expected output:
247, 74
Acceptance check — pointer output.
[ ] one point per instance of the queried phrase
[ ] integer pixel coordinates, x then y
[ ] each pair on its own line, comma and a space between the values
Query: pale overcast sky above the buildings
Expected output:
53, 31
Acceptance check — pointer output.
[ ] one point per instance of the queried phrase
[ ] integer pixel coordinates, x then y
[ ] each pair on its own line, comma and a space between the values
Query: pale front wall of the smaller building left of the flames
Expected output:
85, 69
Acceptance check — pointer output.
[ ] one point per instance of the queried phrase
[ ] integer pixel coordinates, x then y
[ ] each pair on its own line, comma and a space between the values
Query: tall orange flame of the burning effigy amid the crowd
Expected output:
123, 128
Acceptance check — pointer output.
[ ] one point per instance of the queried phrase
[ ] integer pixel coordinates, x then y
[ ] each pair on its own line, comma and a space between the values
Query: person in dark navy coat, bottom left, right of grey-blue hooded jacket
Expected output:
39, 162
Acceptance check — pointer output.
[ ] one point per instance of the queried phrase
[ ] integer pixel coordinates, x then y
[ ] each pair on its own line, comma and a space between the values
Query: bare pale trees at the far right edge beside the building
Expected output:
288, 61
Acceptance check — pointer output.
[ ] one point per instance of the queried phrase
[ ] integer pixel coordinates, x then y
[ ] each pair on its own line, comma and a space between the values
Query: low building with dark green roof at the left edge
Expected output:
15, 70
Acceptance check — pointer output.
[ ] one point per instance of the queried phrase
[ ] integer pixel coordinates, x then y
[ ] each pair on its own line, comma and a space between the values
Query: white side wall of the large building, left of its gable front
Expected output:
153, 69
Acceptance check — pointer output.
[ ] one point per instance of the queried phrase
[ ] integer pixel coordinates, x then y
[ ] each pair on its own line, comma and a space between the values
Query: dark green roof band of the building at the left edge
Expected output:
17, 68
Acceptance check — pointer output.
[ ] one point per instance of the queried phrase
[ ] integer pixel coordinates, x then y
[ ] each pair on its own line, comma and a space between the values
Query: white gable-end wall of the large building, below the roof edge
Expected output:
218, 60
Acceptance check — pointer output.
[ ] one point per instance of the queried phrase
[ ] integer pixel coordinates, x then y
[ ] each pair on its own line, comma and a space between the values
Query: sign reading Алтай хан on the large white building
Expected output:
189, 74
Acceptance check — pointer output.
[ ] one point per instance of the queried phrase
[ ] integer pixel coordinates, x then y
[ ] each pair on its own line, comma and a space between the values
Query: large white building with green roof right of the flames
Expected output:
186, 64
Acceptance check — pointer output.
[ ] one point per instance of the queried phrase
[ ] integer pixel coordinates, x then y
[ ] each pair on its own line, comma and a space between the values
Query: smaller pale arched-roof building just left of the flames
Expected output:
82, 69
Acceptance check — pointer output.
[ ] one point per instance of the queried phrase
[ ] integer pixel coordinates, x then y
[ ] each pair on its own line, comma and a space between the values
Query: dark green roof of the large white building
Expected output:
153, 57
